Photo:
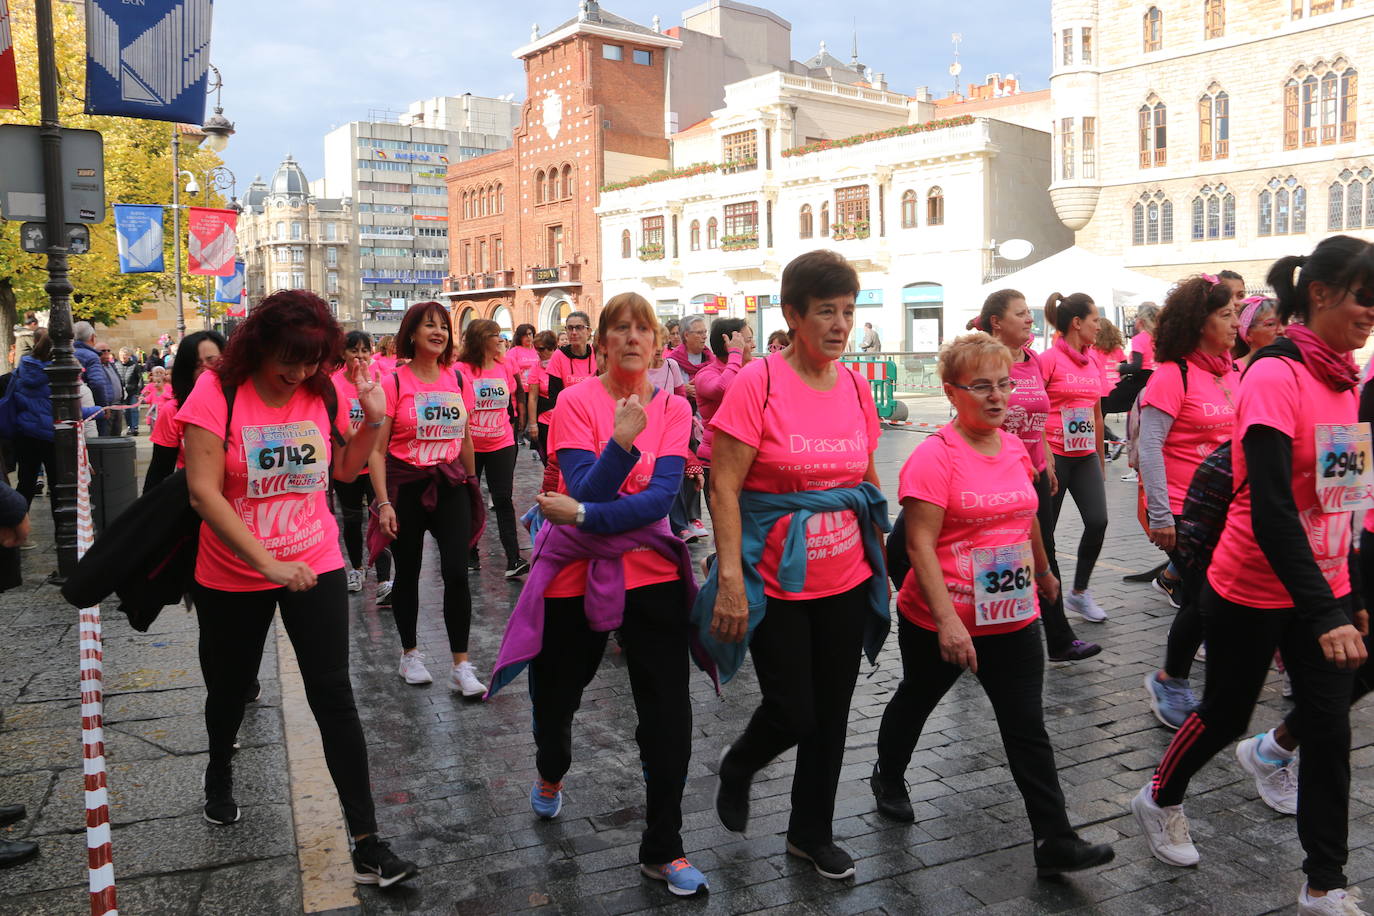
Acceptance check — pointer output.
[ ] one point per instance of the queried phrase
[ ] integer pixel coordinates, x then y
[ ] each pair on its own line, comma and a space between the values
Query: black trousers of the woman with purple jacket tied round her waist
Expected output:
655, 639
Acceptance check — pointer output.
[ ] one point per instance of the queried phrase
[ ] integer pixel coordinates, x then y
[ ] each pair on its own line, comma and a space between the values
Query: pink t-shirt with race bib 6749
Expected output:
435, 436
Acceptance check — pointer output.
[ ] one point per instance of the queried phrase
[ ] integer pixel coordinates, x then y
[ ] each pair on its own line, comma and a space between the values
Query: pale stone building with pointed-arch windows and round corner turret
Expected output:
1211, 134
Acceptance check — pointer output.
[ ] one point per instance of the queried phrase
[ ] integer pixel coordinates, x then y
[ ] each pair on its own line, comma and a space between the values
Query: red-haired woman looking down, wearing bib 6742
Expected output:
260, 447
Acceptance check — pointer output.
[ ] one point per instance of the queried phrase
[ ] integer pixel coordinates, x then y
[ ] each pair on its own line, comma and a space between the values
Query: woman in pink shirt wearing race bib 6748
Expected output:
494, 381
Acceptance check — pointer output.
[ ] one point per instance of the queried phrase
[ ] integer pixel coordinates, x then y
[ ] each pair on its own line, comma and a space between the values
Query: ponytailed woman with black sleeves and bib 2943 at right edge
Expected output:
1280, 576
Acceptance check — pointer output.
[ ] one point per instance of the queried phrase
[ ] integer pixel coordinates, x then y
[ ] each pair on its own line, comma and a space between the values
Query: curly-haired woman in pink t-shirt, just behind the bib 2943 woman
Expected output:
1188, 410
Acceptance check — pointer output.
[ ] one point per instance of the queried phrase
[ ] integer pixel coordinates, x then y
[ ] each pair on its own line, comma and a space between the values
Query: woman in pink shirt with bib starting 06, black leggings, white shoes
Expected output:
1074, 431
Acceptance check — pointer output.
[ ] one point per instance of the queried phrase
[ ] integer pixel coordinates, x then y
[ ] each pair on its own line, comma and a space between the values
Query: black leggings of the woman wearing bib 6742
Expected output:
234, 627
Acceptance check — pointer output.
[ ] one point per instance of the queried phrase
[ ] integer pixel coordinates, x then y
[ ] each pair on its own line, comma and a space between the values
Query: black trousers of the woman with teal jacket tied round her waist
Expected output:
807, 659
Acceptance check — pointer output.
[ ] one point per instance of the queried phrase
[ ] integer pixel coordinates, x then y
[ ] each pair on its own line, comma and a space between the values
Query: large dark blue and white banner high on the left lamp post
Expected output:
148, 60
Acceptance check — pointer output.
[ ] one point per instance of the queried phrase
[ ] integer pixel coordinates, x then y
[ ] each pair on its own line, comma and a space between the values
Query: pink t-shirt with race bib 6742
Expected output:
277, 473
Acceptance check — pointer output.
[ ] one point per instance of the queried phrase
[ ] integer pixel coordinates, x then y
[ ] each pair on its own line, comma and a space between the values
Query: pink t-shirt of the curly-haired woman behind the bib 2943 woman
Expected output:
1203, 420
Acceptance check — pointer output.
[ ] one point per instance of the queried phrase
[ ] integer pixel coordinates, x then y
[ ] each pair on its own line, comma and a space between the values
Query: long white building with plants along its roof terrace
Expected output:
916, 194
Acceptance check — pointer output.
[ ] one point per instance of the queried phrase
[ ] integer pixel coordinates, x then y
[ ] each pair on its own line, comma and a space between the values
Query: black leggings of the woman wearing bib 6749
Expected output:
451, 524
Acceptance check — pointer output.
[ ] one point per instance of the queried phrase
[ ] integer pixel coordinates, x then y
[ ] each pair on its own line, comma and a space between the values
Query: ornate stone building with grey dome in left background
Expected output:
292, 240
